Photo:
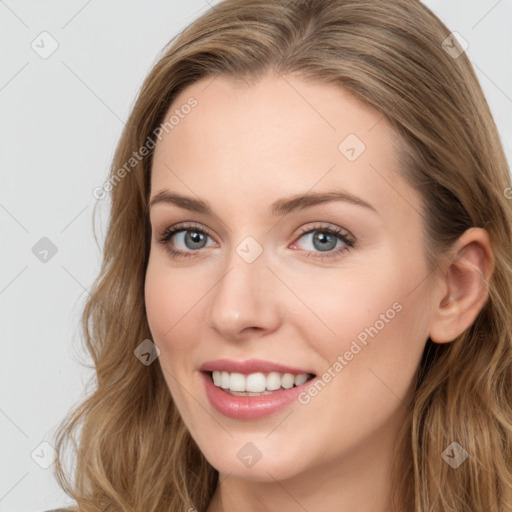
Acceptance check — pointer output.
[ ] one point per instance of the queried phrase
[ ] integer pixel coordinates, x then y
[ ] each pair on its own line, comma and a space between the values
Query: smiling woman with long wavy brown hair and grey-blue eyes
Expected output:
308, 256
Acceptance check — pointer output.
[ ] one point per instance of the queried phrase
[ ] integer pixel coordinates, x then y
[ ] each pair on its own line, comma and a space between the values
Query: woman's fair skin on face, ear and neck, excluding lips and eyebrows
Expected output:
240, 149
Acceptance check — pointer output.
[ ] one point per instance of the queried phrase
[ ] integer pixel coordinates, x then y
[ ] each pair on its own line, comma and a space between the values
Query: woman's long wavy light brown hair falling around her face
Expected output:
133, 452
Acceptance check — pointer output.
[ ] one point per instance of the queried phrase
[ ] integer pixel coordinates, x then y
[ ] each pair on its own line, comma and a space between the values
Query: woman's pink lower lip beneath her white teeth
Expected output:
249, 407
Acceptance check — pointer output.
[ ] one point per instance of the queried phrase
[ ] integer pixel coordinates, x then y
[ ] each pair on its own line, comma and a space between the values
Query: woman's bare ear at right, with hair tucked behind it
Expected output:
464, 289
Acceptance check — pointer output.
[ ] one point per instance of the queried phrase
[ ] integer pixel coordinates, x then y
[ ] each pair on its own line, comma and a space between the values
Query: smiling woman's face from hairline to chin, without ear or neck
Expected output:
284, 270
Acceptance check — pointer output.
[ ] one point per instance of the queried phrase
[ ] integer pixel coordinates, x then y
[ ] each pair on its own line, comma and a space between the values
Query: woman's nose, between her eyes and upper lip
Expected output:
245, 301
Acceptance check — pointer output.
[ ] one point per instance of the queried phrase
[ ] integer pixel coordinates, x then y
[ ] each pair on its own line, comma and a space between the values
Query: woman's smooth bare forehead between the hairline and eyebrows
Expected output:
278, 137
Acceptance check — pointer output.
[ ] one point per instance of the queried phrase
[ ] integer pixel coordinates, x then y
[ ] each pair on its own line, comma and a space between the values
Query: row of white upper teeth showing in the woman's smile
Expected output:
257, 383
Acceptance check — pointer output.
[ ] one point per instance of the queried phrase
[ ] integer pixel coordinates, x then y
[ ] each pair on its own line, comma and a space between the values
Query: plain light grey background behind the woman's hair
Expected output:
61, 118
